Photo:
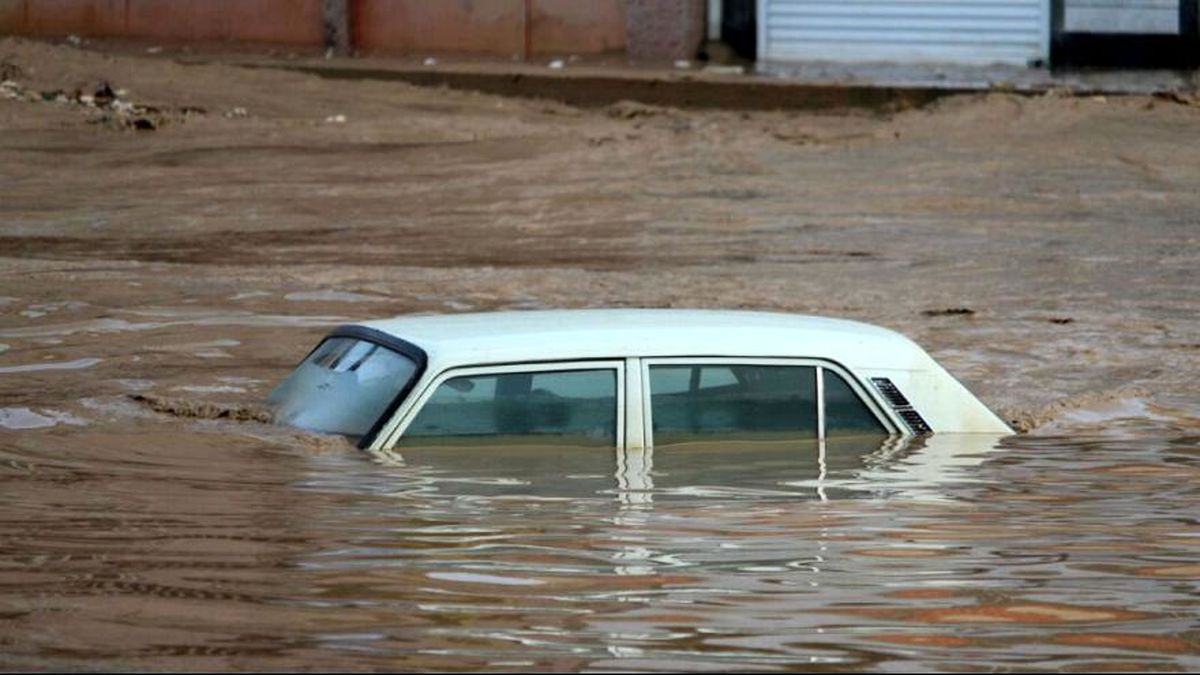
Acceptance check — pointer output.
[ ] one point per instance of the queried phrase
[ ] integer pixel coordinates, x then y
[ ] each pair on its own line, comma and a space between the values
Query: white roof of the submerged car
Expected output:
517, 337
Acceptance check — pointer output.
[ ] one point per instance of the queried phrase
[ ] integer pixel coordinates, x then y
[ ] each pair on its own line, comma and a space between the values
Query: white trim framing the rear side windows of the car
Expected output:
820, 366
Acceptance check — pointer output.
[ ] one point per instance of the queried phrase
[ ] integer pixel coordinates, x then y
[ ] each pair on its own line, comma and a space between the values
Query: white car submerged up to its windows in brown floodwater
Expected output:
625, 379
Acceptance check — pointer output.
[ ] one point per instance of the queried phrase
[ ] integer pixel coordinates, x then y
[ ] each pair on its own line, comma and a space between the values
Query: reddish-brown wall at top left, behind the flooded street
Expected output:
497, 28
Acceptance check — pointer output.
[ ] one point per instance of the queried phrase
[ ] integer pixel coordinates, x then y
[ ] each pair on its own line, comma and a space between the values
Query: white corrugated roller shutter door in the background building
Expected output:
958, 32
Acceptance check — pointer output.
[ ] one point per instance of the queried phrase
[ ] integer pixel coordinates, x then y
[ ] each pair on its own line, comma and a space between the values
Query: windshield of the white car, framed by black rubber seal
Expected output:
344, 387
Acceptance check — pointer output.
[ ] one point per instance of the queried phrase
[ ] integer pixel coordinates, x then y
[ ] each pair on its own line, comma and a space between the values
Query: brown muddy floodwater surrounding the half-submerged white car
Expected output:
166, 260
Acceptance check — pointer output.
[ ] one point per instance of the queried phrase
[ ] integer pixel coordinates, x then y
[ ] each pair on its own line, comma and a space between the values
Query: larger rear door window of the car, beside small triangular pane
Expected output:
695, 403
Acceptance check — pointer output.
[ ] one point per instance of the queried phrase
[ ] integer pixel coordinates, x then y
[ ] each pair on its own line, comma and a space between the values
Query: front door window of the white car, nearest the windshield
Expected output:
573, 408
